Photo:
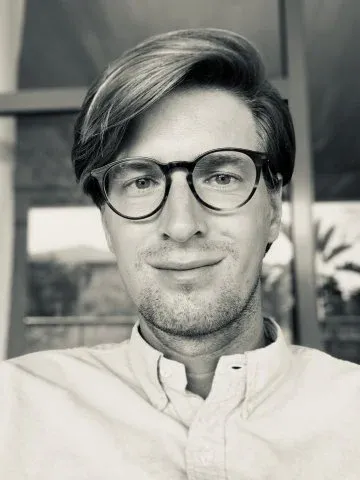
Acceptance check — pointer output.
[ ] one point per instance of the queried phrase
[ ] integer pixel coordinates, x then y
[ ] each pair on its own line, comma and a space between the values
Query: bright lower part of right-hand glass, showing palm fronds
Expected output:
337, 265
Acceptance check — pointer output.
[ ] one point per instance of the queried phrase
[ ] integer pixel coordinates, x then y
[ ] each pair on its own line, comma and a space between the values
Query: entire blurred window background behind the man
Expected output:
59, 285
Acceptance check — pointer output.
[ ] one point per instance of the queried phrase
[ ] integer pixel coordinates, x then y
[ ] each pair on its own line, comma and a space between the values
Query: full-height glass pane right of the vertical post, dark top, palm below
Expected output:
335, 117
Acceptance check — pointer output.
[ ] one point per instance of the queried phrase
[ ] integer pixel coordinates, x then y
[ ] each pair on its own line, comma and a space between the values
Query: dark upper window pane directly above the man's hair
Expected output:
82, 37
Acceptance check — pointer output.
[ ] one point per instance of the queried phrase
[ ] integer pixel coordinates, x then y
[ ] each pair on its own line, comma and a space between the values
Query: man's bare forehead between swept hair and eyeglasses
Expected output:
188, 122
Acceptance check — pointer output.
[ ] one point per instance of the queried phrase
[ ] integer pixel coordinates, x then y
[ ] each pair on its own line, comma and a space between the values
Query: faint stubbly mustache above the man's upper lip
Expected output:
167, 249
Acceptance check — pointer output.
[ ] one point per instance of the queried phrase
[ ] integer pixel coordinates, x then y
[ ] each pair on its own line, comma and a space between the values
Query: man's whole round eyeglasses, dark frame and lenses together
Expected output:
223, 179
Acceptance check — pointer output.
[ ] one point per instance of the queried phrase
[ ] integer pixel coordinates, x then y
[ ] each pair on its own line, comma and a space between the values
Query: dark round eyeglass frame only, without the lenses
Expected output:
260, 160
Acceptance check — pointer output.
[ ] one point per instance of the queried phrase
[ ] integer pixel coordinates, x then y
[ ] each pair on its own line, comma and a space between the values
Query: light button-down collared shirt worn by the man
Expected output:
123, 412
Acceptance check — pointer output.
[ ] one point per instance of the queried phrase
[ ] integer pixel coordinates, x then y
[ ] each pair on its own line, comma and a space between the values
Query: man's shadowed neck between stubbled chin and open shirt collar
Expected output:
200, 355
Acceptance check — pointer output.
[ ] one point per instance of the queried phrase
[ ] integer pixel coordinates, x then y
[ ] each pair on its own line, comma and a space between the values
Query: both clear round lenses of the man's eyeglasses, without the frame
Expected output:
225, 180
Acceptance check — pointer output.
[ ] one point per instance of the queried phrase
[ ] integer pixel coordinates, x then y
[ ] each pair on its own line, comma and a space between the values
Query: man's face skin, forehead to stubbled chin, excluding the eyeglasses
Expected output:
191, 270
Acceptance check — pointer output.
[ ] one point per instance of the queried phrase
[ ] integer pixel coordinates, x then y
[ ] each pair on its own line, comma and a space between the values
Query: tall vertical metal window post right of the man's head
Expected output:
307, 329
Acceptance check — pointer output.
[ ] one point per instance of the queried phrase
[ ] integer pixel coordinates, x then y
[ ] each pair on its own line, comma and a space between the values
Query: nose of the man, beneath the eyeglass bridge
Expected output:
182, 216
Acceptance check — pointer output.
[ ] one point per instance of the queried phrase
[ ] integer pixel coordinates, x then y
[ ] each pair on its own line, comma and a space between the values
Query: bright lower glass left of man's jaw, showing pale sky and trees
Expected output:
72, 277
